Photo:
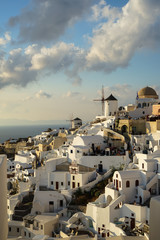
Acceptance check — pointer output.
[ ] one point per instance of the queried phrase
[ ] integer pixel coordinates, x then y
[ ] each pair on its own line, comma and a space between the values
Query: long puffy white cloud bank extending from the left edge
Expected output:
21, 67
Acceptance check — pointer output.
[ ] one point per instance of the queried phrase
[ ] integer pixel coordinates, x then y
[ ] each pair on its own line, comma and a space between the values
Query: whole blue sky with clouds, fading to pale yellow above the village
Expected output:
55, 55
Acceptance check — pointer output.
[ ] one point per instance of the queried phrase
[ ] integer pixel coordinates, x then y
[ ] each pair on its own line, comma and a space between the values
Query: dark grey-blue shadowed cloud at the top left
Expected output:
45, 20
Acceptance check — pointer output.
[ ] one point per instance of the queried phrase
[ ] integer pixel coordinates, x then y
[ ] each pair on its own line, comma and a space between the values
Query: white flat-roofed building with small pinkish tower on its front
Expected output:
64, 176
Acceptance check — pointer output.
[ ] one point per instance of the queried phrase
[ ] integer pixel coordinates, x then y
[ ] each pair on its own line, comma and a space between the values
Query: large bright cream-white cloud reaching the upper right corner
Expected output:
116, 40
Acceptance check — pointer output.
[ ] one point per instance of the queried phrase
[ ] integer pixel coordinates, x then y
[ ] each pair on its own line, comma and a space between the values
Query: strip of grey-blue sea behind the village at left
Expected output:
15, 132
